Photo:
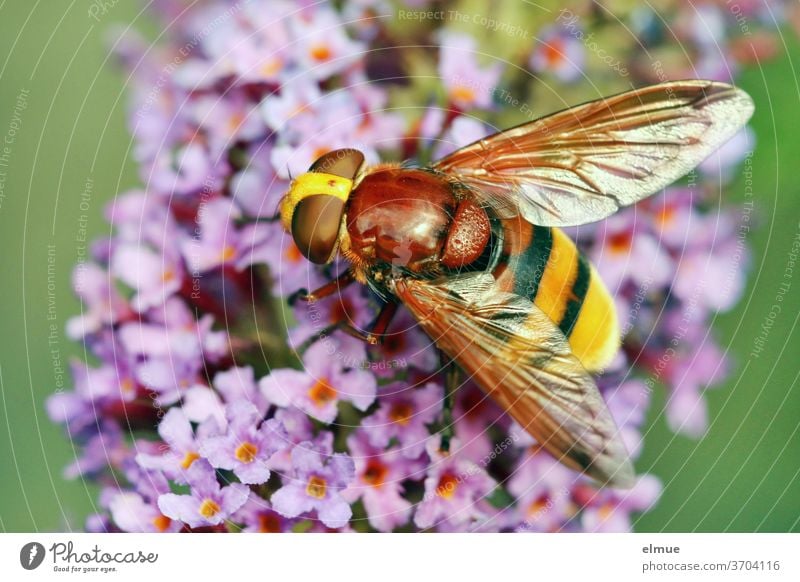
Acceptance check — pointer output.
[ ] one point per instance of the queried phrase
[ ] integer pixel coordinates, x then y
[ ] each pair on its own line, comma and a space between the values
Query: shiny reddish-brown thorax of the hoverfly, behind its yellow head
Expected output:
412, 218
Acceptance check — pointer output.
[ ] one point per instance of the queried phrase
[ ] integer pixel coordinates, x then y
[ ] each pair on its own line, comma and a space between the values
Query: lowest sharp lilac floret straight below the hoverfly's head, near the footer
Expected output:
315, 484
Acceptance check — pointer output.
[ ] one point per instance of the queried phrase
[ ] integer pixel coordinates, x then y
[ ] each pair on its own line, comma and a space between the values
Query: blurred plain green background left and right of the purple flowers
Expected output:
743, 476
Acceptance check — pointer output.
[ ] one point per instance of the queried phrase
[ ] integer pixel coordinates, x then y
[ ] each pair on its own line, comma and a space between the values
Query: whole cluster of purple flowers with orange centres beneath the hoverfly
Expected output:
216, 403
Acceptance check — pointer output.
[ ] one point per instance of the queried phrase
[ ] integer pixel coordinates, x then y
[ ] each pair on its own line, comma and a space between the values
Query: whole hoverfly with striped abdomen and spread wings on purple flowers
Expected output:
471, 246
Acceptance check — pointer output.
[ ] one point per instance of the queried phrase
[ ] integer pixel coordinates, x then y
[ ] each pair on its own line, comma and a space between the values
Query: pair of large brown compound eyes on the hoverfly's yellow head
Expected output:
317, 218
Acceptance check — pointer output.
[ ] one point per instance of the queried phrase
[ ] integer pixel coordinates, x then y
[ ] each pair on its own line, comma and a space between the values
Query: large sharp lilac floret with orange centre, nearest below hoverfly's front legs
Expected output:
322, 384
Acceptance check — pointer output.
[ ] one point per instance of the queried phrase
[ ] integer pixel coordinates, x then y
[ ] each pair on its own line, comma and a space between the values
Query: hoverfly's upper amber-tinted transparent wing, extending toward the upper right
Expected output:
584, 163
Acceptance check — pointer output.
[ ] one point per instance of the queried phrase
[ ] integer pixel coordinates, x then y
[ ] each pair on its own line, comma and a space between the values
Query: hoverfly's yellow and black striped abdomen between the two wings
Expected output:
543, 264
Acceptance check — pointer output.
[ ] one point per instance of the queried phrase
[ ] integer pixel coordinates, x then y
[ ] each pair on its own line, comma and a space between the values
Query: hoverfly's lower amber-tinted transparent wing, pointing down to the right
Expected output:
523, 361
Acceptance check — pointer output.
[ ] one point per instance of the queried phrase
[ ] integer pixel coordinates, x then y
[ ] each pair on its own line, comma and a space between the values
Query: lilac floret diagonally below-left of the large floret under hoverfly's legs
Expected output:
247, 445
